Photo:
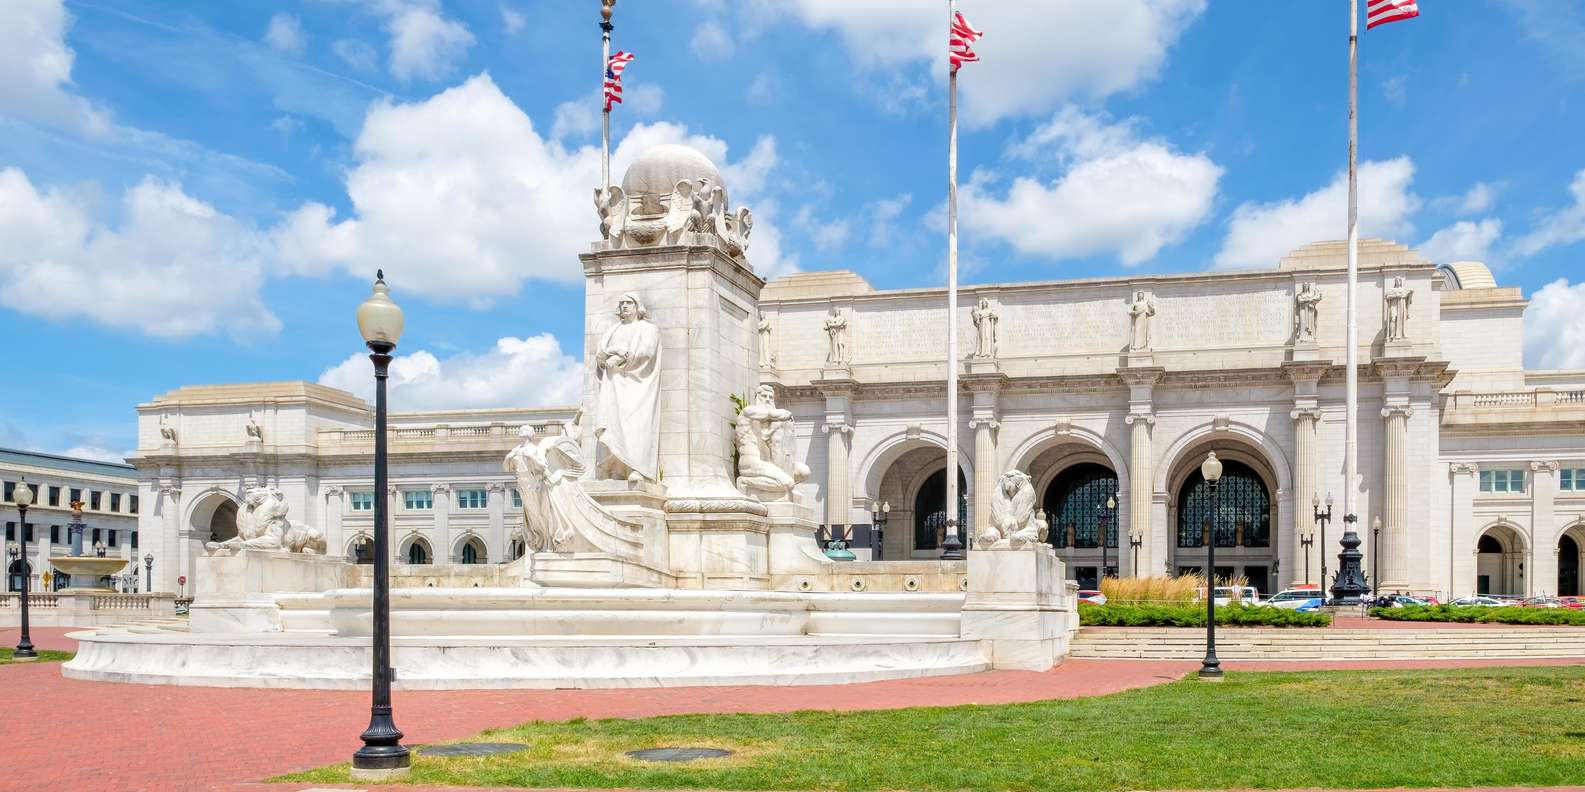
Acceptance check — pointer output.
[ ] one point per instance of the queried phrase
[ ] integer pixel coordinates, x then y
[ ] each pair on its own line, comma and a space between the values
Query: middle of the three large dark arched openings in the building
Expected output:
1075, 505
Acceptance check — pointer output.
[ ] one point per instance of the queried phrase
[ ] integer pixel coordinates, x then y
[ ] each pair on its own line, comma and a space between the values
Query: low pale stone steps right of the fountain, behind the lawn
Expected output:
1331, 644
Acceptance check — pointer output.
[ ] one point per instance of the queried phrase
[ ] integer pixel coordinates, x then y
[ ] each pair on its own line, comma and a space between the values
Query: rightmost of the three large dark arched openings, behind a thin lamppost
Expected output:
1245, 519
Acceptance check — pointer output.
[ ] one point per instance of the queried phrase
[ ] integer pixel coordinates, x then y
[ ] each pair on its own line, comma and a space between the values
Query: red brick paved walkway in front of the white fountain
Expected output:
199, 739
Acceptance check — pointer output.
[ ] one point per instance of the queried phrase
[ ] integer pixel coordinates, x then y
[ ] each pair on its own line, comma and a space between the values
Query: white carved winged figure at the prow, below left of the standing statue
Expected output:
557, 512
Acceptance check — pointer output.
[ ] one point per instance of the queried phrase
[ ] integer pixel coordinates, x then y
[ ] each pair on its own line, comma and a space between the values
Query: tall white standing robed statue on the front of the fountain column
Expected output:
627, 409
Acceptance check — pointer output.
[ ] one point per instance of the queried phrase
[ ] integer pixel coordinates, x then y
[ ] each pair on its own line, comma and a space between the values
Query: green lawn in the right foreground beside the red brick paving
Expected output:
1320, 729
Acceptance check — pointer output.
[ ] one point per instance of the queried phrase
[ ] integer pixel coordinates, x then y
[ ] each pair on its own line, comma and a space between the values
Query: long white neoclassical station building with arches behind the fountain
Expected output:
1101, 390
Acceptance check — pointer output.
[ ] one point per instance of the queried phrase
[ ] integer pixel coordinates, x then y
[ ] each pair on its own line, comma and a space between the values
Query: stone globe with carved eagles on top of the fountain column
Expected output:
673, 196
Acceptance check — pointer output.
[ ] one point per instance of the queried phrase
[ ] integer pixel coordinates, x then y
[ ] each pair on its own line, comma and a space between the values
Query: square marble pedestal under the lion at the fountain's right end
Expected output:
1023, 606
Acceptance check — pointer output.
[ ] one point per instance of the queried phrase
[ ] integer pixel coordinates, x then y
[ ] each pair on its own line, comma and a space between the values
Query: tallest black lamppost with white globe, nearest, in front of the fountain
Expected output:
383, 755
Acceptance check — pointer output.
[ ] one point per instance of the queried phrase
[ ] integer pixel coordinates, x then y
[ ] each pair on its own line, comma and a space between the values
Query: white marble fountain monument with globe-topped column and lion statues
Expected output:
670, 544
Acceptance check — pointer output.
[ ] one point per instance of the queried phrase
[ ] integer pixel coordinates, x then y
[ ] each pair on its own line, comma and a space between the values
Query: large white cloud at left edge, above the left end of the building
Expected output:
156, 272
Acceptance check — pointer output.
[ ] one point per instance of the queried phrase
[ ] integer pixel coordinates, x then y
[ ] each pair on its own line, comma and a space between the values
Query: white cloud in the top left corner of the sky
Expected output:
36, 69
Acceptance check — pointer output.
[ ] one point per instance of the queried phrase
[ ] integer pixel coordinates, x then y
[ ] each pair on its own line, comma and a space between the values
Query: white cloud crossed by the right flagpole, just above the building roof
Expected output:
1259, 235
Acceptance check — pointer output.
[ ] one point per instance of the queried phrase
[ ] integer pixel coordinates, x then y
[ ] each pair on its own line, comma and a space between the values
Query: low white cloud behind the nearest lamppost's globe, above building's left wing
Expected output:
516, 373
